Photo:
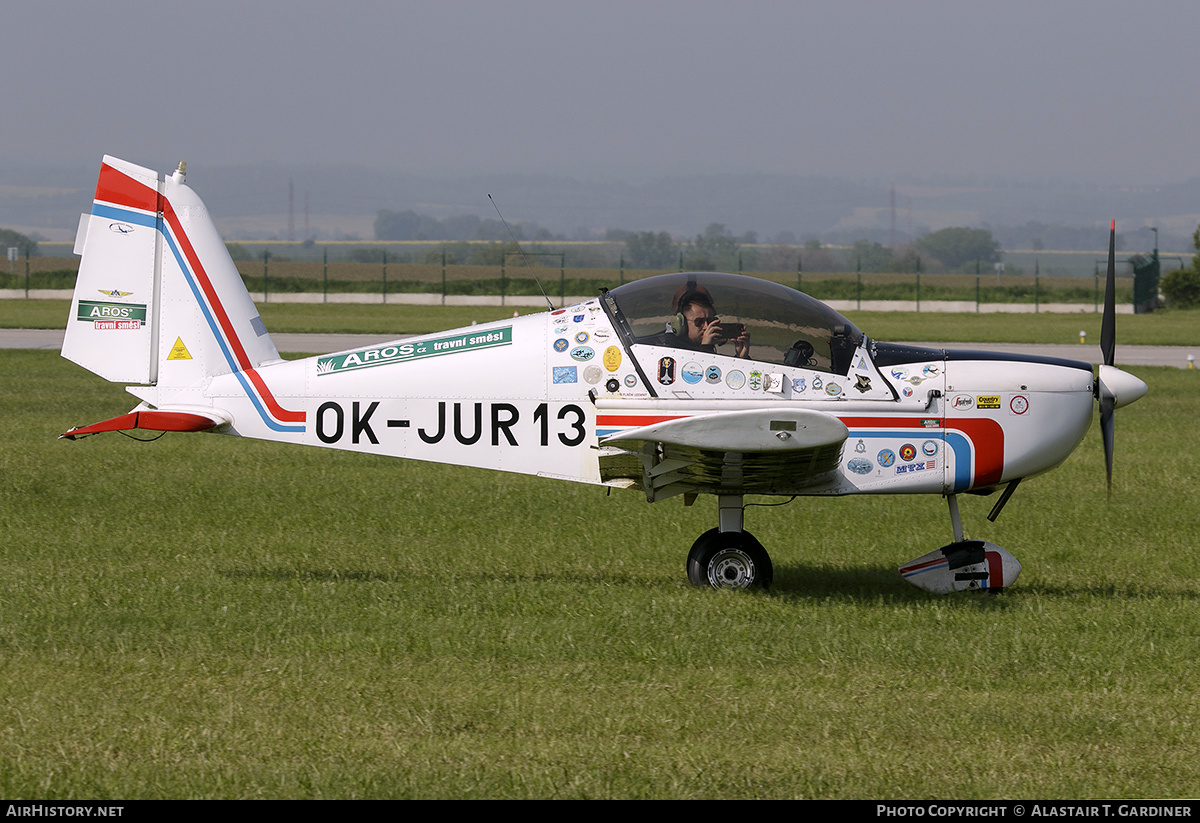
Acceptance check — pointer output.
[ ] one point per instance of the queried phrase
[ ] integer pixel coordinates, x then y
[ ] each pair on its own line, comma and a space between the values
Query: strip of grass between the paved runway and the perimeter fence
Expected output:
1162, 328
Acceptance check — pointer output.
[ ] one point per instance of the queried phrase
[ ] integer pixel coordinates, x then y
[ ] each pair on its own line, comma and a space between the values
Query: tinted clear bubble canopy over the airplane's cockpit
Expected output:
781, 321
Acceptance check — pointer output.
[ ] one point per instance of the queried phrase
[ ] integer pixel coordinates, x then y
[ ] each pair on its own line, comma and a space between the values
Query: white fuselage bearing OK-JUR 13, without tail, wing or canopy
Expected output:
539, 394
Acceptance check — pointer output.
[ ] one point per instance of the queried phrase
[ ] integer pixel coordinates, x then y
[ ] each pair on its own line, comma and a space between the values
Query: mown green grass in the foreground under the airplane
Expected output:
213, 618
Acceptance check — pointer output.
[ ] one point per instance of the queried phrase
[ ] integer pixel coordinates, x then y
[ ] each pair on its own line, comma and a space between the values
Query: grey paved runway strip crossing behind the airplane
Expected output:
1126, 356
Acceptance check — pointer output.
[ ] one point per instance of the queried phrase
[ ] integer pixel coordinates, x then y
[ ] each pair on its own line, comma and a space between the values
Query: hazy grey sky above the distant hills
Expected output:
1096, 91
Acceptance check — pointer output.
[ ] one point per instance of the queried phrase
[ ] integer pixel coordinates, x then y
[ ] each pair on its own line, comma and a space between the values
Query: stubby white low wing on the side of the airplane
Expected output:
760, 452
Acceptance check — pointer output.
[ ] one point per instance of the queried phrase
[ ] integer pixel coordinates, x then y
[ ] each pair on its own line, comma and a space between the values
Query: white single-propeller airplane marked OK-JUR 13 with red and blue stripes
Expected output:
681, 385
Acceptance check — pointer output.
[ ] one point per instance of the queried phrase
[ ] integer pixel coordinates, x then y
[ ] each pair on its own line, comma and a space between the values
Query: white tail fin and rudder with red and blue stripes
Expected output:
158, 301
